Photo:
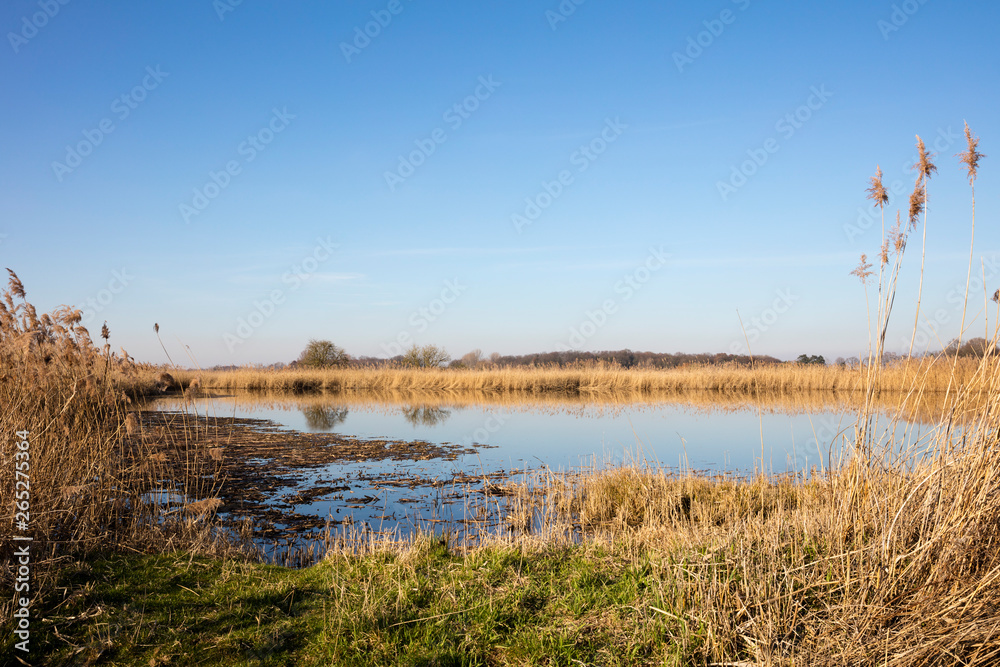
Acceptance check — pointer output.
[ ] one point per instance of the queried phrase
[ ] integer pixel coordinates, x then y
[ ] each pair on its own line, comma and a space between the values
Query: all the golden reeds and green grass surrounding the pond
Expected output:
887, 557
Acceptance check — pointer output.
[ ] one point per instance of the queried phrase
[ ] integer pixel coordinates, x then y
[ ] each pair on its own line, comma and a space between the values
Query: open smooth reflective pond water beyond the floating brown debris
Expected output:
702, 435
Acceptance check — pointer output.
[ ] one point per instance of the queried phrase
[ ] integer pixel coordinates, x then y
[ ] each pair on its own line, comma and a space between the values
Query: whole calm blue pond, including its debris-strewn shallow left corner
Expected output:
460, 446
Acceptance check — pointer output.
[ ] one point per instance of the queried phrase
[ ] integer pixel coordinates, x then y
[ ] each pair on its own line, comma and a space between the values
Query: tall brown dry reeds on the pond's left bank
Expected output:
87, 469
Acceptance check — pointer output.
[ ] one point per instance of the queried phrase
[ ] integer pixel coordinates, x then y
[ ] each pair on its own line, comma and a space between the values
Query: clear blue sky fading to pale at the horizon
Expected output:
515, 177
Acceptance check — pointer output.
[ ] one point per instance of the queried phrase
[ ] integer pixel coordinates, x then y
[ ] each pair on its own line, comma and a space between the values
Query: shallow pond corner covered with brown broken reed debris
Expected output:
257, 474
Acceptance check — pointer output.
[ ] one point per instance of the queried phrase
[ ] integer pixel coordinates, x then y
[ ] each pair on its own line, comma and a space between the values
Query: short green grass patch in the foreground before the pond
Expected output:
418, 606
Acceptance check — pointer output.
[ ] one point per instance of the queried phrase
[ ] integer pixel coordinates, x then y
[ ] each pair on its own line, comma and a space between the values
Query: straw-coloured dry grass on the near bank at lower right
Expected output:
890, 560
